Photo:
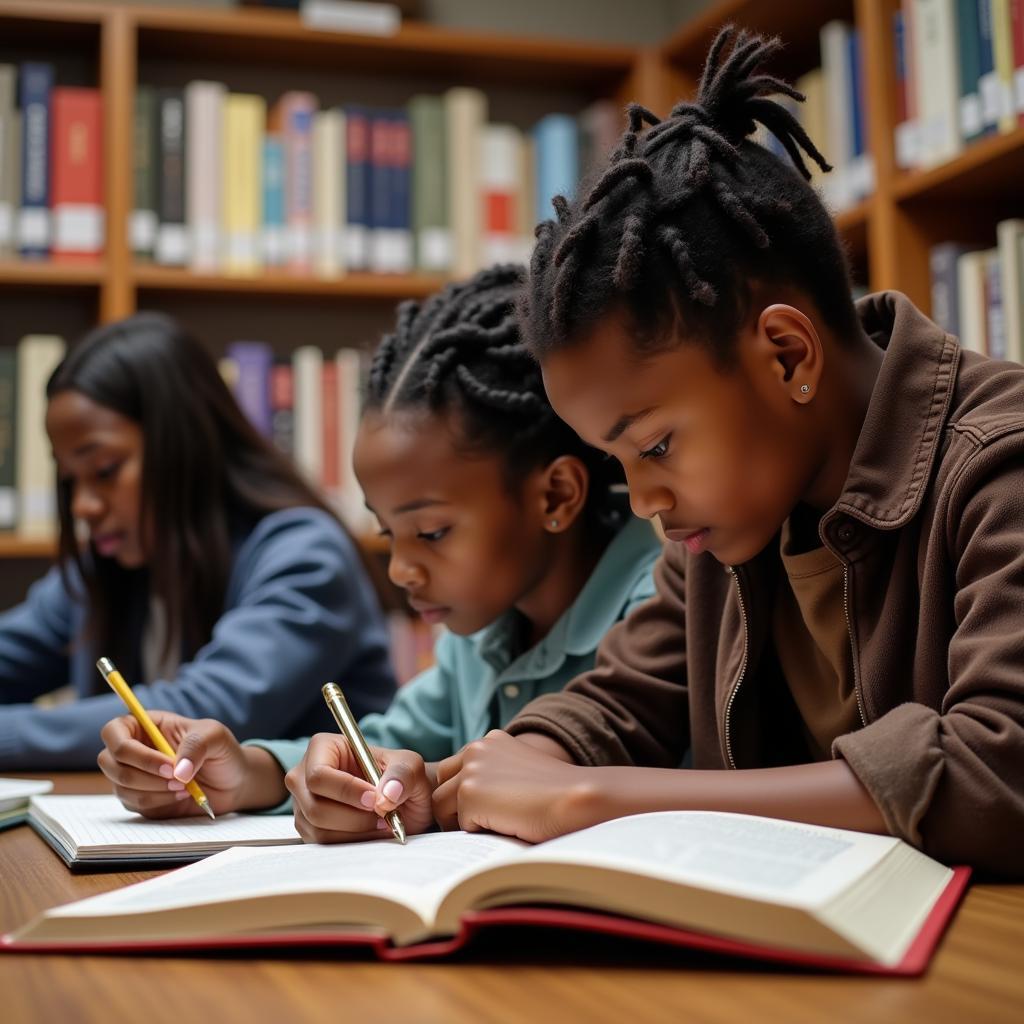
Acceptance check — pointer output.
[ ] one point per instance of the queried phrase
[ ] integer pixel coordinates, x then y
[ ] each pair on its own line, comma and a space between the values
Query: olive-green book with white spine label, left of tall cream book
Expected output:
432, 224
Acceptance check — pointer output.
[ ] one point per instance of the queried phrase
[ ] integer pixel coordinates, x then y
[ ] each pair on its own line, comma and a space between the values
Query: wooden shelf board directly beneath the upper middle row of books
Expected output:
367, 287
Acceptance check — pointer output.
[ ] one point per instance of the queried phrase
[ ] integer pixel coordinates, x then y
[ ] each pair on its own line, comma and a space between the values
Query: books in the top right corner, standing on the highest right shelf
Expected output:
960, 70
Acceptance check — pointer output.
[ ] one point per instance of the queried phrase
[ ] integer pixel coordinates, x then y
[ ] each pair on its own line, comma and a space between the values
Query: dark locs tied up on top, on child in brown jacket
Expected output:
687, 215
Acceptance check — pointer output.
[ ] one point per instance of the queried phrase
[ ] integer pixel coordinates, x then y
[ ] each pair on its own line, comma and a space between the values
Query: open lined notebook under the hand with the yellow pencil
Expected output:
92, 833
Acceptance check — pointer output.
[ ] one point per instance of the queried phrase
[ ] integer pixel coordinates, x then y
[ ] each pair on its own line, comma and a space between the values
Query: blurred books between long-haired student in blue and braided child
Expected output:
310, 405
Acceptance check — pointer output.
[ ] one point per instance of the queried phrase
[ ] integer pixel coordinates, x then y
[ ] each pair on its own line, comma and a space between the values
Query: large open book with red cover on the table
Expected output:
726, 882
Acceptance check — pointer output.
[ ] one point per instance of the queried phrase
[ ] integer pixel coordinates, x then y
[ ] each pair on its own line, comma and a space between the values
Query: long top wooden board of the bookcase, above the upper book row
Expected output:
252, 36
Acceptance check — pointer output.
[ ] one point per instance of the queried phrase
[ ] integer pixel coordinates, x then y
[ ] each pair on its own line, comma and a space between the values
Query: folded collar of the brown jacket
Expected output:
899, 444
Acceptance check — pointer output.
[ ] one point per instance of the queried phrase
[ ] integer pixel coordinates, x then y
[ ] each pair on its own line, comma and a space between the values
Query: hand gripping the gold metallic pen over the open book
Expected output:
335, 804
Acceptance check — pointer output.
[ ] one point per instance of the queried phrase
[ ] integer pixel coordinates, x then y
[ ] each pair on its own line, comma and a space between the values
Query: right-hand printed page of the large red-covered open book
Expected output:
764, 859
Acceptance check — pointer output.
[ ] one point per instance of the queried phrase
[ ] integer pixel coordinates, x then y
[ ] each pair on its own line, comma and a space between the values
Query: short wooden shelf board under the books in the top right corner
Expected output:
990, 170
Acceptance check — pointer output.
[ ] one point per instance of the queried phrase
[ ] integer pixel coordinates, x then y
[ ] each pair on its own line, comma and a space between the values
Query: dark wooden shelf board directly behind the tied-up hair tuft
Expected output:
689, 48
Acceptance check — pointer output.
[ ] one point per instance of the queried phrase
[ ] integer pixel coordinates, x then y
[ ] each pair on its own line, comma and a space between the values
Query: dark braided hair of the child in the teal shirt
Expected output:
461, 353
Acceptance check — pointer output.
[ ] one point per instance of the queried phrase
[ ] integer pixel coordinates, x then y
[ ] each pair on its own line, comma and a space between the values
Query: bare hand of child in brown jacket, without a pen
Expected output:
504, 785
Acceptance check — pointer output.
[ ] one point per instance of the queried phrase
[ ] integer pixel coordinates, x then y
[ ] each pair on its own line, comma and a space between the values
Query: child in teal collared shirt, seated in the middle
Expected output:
504, 528
